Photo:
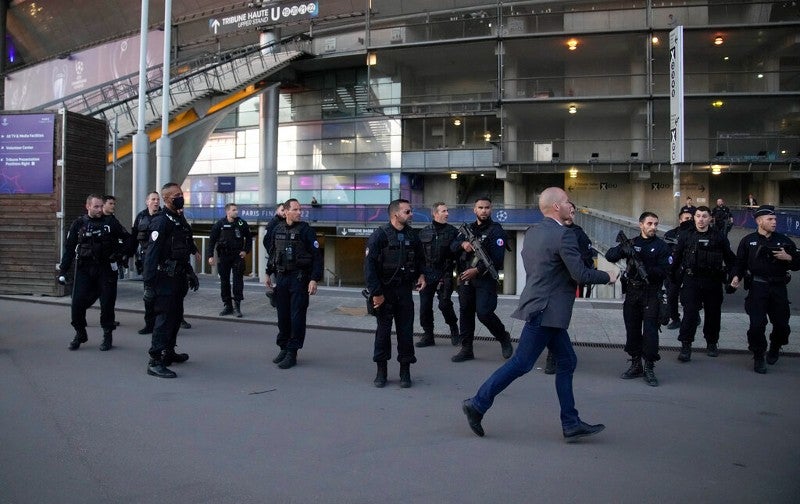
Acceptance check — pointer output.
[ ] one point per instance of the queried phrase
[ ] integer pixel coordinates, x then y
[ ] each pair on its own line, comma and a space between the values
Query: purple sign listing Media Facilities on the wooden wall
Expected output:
26, 153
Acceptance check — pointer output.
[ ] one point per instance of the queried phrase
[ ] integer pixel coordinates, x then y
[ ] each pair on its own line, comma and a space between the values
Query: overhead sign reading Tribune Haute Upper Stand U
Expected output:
264, 17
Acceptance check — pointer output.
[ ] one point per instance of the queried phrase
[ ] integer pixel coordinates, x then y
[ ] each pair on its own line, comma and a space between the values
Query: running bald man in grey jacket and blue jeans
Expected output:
554, 268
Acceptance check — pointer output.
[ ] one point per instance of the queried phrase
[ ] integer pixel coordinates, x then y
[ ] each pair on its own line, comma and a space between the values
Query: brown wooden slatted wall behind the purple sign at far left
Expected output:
29, 227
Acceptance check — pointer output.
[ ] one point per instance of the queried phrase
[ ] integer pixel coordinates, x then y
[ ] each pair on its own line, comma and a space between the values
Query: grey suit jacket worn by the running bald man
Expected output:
553, 269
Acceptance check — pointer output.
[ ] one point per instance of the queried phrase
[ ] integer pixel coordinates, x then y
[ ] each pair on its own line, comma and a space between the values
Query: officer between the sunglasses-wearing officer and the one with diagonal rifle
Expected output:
439, 262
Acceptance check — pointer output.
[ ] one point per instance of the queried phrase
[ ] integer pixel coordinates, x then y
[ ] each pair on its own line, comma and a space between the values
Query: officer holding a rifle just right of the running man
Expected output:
643, 291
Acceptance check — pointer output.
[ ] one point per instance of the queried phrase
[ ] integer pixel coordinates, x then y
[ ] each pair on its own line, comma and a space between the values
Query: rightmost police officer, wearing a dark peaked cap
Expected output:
763, 261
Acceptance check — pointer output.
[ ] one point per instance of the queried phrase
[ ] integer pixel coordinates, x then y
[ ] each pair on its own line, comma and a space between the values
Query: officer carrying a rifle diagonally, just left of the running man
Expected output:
477, 289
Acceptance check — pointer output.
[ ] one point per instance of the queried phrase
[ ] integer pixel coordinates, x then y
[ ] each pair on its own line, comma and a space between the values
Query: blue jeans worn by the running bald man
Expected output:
532, 341
